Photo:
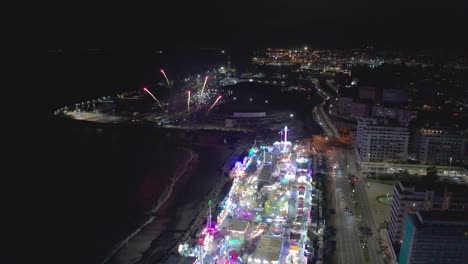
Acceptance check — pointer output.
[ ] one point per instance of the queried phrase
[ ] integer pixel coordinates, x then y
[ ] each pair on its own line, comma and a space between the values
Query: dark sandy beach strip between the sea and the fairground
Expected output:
173, 214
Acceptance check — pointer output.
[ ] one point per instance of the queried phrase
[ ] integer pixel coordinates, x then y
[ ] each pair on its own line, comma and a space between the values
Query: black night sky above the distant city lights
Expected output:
337, 23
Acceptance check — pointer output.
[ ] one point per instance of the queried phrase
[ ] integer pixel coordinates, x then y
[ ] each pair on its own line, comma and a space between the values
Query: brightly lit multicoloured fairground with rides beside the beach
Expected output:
266, 214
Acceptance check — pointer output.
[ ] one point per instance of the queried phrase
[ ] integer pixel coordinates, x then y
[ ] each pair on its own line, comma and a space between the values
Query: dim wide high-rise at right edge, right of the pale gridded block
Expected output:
440, 145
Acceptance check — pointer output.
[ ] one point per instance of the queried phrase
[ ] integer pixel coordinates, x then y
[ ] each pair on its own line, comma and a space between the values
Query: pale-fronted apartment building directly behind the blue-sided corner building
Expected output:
410, 197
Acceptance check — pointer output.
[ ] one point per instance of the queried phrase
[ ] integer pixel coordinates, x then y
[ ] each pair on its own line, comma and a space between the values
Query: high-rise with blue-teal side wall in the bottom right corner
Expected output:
435, 237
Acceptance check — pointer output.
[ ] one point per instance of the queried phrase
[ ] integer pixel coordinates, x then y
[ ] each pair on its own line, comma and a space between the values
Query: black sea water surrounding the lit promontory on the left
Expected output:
78, 189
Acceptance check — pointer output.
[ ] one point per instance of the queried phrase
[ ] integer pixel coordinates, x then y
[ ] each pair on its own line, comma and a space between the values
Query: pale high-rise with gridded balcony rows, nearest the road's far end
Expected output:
380, 139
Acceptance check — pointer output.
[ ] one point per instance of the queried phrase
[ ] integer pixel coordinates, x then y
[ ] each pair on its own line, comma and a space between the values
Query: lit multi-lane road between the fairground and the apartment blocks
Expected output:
343, 162
